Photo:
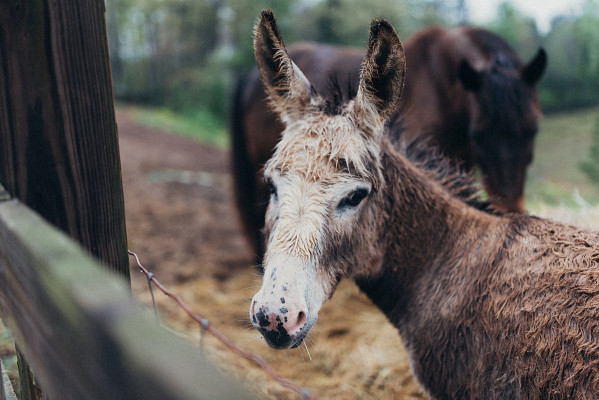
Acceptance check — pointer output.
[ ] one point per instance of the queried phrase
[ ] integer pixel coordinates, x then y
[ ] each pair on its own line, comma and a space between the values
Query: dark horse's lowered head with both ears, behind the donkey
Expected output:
504, 122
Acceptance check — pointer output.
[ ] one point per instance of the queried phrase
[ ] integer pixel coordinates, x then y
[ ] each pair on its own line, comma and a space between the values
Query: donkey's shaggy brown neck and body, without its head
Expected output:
490, 307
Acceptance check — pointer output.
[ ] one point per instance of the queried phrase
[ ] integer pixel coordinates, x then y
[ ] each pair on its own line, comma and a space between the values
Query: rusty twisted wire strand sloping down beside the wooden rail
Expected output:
304, 393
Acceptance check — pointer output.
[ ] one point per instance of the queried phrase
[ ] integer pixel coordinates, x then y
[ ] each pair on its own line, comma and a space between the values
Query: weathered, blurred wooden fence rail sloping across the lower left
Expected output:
79, 328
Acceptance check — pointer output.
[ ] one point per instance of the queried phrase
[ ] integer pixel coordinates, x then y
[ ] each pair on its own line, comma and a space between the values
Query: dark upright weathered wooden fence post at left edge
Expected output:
58, 136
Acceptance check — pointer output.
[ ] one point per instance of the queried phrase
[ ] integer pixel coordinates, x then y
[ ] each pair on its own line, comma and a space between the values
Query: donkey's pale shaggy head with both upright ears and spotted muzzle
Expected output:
325, 179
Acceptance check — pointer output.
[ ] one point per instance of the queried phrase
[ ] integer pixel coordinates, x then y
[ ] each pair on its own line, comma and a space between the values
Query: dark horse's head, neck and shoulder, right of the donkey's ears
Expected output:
469, 90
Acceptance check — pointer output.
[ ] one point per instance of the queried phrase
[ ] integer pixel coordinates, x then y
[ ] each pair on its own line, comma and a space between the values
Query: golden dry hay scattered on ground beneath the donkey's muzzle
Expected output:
354, 353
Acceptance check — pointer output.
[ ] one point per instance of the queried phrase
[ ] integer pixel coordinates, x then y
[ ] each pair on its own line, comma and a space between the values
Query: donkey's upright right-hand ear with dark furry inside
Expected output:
383, 74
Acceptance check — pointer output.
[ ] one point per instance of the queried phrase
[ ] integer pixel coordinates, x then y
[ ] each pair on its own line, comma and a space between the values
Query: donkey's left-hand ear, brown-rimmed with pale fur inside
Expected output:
286, 85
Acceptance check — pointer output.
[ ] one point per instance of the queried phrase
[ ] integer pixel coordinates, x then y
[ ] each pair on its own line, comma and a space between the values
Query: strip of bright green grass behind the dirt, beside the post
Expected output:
199, 125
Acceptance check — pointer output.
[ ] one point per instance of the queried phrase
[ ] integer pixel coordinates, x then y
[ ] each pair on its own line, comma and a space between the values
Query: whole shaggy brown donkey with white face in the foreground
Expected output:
489, 306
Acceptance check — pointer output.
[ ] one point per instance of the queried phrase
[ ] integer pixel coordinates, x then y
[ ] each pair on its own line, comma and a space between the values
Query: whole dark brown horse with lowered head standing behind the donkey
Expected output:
466, 89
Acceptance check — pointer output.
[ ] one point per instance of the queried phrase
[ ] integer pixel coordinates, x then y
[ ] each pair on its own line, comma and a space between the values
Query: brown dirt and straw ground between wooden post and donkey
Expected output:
182, 223
